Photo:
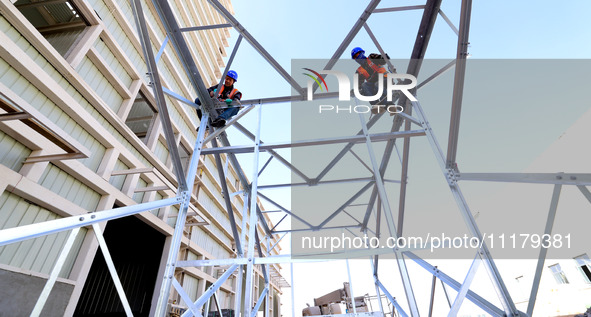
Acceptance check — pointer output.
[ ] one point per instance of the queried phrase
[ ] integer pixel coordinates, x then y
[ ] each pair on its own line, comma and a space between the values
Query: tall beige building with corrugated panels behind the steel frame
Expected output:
80, 132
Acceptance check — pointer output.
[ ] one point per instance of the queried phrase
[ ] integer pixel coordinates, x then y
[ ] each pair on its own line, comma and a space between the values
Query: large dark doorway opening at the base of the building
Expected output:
136, 249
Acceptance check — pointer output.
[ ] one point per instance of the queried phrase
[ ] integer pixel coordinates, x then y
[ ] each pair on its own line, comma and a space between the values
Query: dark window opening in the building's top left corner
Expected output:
59, 21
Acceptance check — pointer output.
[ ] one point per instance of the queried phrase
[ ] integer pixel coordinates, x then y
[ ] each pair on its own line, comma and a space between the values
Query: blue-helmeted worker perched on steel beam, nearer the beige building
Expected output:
227, 94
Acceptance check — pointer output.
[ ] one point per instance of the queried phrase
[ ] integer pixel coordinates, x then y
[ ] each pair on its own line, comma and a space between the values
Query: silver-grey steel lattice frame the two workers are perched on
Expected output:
246, 256
